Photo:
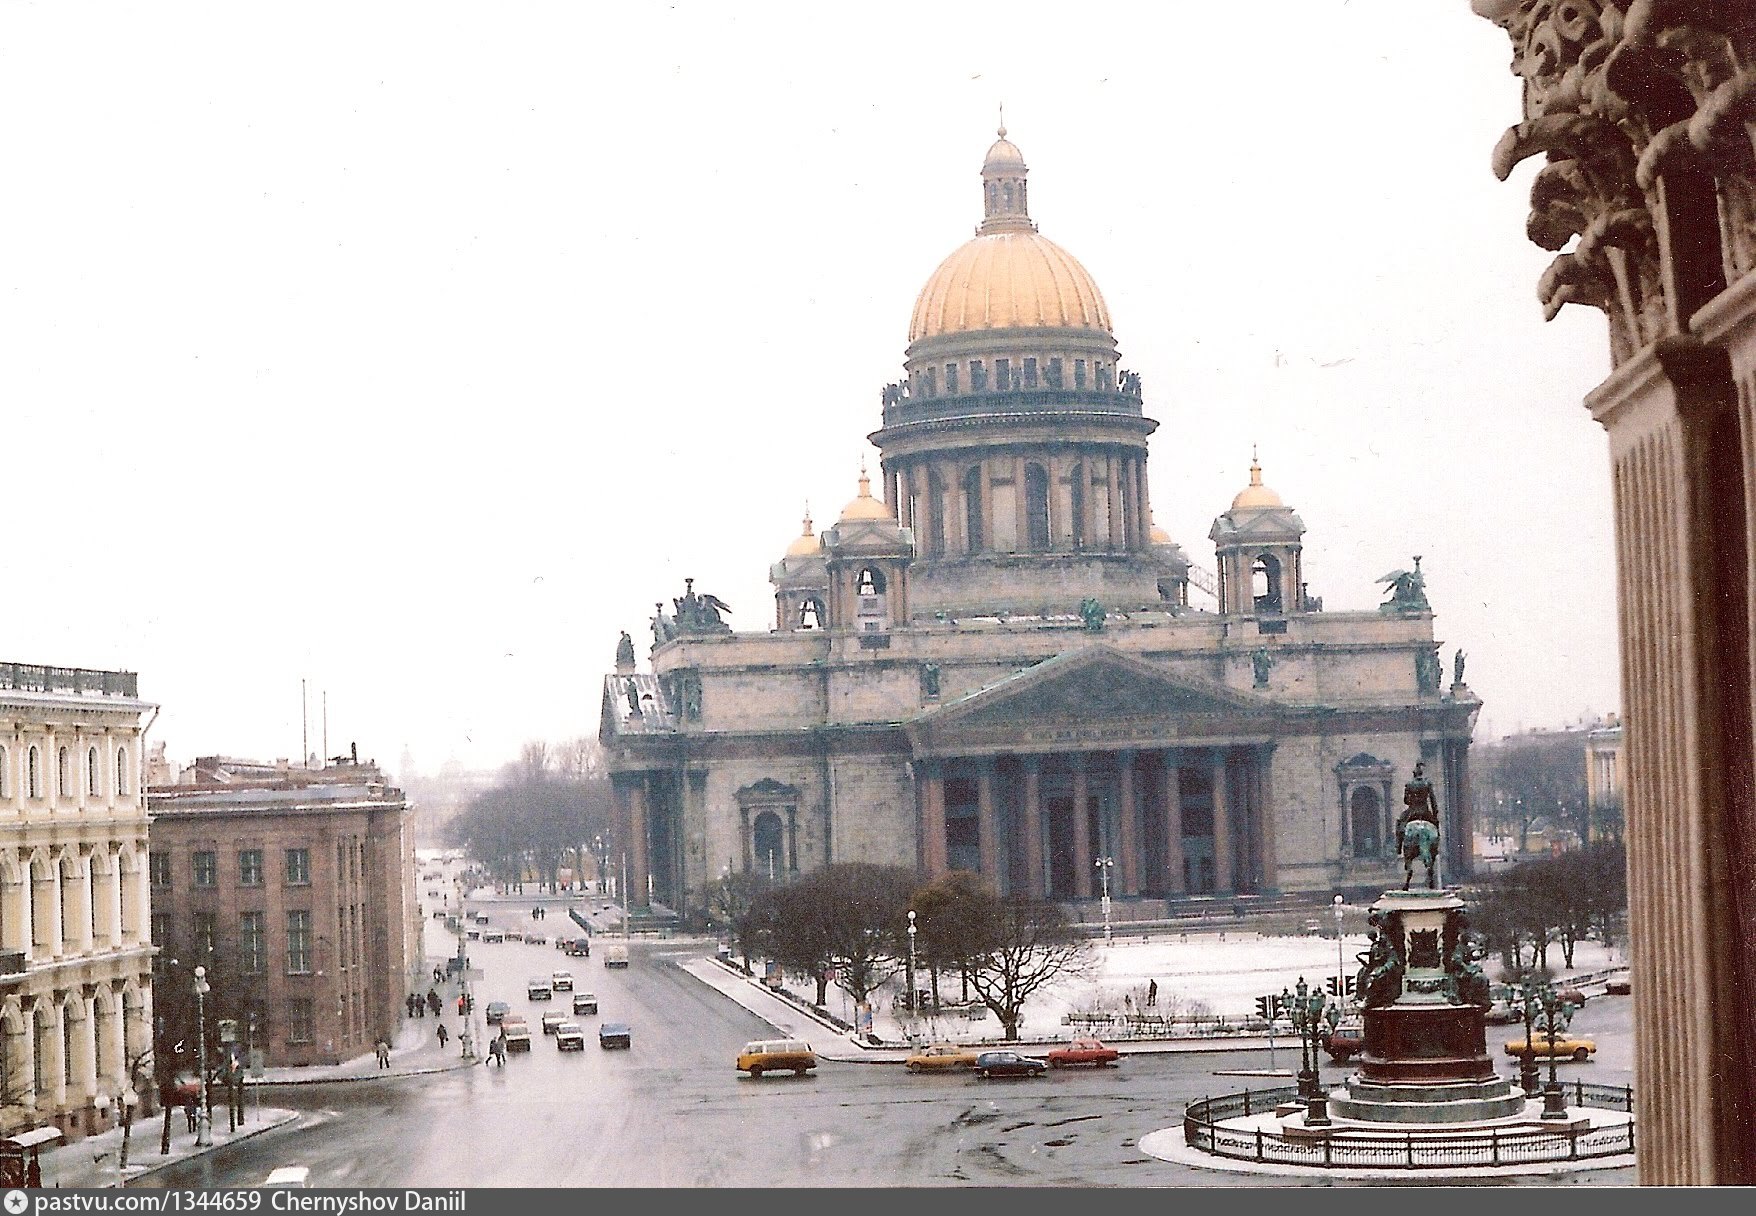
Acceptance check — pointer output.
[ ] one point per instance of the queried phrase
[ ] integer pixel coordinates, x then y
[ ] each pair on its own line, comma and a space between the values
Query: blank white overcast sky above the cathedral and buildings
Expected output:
419, 349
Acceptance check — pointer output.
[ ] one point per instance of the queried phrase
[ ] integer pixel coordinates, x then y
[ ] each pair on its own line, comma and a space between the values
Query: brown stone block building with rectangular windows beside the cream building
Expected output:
296, 890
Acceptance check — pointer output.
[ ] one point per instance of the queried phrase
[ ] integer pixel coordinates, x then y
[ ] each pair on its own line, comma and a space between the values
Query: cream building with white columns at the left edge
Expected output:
76, 962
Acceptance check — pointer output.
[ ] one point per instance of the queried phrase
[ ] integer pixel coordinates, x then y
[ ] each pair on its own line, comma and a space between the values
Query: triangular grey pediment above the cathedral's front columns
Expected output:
1100, 698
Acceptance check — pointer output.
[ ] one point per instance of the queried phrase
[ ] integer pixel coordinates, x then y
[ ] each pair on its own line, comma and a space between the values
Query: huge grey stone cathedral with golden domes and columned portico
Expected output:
991, 662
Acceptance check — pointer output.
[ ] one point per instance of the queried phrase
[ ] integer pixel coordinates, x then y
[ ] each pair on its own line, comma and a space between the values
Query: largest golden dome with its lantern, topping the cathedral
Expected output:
1009, 277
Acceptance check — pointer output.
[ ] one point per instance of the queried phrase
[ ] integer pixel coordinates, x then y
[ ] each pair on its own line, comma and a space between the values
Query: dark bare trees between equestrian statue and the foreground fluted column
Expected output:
1564, 901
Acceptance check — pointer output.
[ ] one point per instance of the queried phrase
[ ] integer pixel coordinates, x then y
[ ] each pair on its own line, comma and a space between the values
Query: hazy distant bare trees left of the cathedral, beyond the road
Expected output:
551, 807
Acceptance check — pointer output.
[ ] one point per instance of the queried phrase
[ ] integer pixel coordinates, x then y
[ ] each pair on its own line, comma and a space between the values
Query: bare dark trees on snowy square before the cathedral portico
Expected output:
849, 923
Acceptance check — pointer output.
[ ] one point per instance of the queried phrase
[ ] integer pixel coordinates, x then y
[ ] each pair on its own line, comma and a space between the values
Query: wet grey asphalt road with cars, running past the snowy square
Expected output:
673, 1113
